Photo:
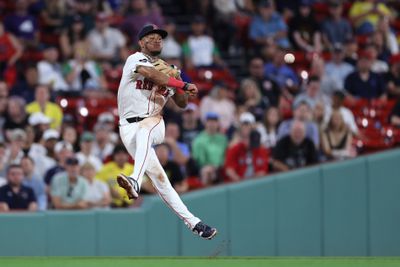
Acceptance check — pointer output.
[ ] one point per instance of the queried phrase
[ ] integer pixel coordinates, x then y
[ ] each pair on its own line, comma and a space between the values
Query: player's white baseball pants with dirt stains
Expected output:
138, 139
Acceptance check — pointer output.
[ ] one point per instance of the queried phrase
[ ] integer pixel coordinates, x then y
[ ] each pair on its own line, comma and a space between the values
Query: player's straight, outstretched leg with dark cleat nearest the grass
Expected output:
168, 194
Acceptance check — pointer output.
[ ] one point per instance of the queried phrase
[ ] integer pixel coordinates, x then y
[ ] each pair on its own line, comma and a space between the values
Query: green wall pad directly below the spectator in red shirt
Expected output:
252, 218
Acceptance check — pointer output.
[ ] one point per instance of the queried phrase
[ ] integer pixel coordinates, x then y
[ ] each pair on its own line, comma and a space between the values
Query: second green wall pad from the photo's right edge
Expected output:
345, 208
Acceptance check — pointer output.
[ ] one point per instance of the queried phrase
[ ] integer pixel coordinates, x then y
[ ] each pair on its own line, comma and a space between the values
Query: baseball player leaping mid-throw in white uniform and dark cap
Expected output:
146, 85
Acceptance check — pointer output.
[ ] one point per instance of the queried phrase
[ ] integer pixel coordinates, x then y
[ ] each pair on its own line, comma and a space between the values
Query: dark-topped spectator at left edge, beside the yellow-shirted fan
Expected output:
15, 116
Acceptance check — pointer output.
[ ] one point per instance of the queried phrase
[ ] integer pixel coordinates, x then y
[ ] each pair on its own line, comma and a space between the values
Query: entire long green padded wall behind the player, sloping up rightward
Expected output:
350, 208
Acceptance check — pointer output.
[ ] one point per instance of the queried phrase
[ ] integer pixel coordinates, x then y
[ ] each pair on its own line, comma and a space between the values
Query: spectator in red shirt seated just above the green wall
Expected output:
246, 159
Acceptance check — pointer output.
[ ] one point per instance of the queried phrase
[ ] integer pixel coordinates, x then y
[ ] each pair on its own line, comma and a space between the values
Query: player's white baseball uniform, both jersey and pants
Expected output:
139, 97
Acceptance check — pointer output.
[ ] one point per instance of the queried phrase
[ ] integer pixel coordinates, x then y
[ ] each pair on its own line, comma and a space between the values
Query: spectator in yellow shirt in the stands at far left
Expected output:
42, 104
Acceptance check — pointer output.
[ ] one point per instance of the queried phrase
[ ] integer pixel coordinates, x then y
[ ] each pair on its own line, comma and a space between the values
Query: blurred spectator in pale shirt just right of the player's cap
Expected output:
171, 47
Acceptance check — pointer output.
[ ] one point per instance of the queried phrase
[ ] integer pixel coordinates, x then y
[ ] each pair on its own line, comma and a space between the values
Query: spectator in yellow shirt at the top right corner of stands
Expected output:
365, 15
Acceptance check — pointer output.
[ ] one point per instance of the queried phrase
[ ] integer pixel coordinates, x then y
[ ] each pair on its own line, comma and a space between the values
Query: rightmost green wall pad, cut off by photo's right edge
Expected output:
384, 188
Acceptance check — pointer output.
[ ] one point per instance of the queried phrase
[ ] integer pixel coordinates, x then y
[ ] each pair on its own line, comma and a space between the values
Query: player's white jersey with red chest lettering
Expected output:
138, 96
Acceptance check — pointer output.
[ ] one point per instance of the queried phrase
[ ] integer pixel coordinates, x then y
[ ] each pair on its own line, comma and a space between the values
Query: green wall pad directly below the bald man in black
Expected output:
299, 213
